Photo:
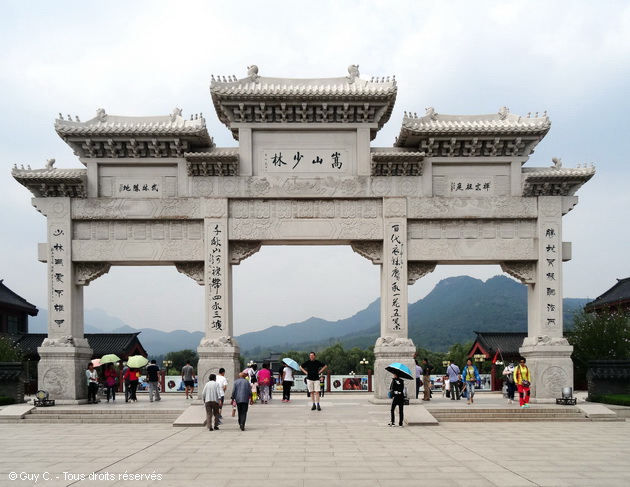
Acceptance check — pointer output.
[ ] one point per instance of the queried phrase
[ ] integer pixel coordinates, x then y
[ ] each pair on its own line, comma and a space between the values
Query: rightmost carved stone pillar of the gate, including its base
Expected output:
547, 352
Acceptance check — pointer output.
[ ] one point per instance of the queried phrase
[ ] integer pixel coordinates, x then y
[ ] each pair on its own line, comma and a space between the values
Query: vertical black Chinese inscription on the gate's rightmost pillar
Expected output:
551, 275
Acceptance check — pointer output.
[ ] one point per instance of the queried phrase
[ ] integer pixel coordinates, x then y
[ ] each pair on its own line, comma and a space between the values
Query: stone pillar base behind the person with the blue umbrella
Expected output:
385, 355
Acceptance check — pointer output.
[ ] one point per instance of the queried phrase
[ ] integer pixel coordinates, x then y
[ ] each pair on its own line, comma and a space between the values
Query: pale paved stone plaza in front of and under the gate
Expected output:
348, 444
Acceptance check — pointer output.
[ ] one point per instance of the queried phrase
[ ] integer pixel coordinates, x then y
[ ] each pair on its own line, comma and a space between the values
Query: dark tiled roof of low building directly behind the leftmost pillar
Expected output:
102, 343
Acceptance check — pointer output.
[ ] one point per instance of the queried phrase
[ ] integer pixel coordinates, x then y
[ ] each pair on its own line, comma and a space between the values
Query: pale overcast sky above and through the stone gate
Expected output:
142, 58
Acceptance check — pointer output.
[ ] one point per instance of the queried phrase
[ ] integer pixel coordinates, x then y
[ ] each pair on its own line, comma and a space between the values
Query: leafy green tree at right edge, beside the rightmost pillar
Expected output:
597, 336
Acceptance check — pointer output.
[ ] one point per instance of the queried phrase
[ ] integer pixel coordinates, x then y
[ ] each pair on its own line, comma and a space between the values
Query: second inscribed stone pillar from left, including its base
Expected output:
218, 348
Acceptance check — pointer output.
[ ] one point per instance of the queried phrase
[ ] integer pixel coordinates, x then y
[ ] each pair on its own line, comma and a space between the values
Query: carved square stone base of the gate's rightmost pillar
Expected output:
551, 369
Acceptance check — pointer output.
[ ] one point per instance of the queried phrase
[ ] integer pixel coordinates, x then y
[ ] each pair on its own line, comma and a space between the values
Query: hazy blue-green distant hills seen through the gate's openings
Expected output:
450, 313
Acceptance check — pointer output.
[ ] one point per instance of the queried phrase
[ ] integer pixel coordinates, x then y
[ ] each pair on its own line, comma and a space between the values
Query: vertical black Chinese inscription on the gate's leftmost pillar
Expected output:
60, 276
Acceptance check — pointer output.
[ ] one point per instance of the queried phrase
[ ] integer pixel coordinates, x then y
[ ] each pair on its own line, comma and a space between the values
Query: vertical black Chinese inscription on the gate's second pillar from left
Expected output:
216, 283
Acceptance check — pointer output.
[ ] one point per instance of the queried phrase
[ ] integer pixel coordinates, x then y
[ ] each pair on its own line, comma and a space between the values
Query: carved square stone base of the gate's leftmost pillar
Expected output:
61, 372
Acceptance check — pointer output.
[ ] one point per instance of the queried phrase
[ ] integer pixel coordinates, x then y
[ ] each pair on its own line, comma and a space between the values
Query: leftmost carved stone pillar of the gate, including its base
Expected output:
65, 353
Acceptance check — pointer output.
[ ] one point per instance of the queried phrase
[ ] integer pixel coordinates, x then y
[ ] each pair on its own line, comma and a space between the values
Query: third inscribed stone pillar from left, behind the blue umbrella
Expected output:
393, 345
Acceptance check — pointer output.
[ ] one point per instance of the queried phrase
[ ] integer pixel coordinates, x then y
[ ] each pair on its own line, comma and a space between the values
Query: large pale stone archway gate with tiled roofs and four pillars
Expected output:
157, 191
